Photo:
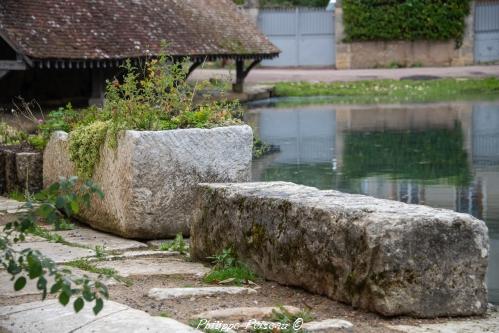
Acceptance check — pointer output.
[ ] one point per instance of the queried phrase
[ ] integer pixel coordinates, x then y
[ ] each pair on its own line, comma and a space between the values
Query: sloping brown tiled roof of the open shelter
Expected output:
119, 29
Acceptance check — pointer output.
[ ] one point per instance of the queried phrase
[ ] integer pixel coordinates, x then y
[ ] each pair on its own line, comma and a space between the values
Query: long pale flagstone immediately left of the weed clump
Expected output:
154, 266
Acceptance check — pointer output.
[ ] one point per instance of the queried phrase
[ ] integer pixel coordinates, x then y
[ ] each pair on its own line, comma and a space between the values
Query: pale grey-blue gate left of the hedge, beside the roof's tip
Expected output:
306, 36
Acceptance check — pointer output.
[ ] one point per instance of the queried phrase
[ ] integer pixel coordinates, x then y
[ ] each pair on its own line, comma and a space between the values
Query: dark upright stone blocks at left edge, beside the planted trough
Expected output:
20, 170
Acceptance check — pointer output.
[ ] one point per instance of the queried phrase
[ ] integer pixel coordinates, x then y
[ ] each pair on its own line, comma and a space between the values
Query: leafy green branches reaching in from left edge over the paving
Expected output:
61, 201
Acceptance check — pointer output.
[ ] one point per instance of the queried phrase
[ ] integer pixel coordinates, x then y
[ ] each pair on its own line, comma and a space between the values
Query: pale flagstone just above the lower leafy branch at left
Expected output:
59, 253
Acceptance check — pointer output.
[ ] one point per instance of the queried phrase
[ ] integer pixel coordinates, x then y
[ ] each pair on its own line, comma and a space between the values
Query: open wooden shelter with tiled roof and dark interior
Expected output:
50, 47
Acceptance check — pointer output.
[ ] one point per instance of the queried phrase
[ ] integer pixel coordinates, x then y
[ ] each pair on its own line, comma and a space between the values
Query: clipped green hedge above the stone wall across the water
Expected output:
371, 20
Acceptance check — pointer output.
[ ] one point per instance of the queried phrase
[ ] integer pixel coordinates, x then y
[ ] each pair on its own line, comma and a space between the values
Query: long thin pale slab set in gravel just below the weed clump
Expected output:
172, 293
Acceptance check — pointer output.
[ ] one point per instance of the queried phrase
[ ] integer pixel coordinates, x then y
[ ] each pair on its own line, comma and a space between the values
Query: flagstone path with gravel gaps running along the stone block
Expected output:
166, 284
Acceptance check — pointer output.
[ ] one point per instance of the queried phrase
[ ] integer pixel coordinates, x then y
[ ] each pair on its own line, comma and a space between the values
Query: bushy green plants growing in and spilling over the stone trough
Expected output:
155, 98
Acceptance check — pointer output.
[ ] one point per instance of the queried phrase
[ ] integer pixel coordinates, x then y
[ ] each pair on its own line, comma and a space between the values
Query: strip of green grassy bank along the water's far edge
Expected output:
394, 91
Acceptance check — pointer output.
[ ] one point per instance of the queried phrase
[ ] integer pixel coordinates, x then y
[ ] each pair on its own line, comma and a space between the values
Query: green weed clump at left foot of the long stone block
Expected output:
228, 268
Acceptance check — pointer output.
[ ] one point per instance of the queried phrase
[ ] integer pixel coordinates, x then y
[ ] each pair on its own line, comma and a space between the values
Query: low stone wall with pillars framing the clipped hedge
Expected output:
358, 55
